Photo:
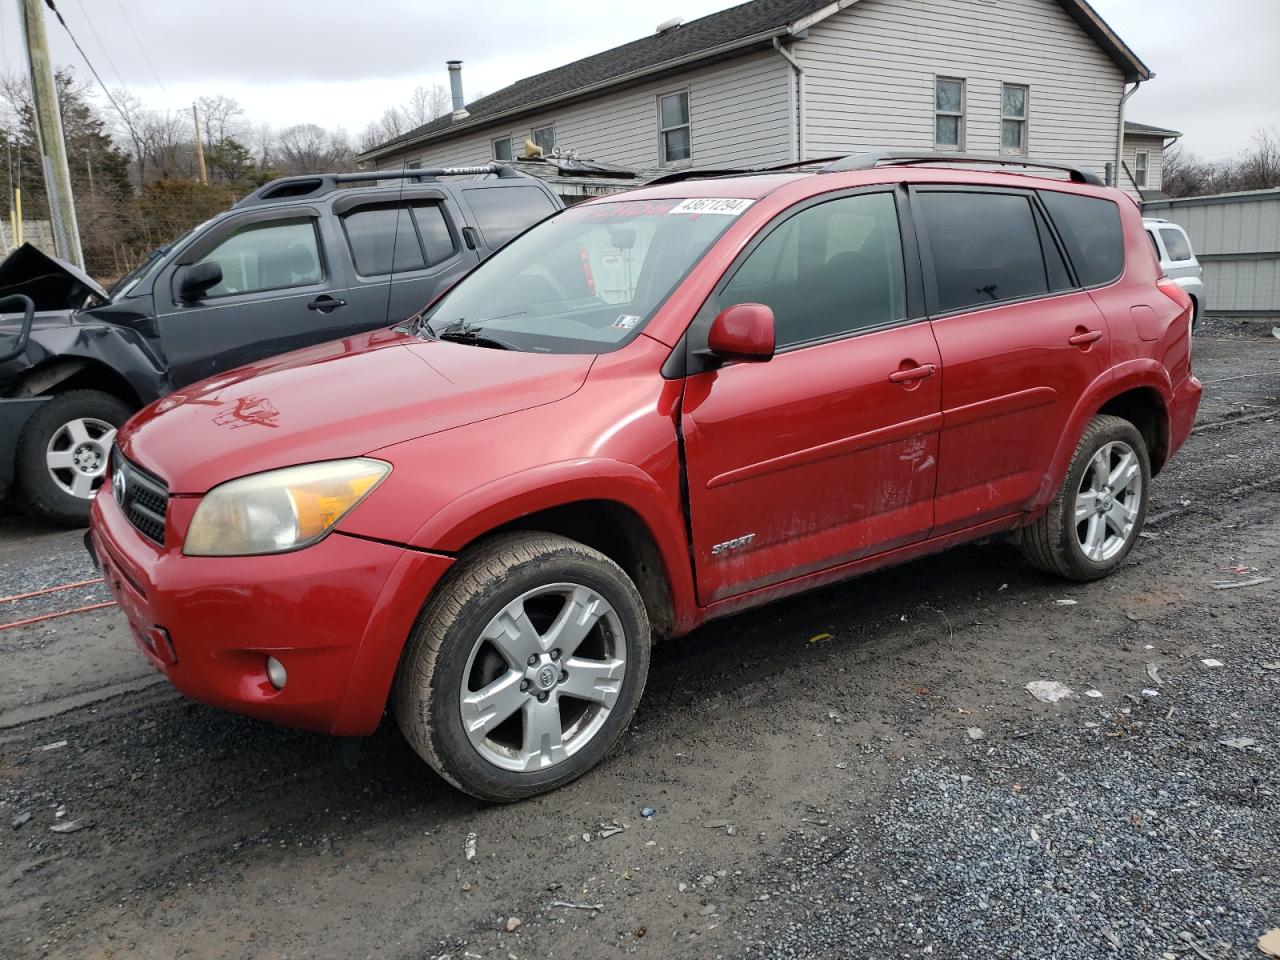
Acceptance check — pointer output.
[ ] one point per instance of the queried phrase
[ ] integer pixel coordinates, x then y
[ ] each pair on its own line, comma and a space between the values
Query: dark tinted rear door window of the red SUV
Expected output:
986, 248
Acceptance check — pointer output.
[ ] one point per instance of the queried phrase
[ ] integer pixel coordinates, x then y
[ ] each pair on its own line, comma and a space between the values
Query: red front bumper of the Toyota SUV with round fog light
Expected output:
336, 615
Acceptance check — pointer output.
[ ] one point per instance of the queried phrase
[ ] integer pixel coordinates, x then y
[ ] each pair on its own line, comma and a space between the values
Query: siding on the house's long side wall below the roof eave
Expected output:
742, 112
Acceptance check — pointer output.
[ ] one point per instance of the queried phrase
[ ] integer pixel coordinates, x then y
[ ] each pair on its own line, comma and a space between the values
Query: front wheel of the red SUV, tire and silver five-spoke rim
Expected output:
525, 668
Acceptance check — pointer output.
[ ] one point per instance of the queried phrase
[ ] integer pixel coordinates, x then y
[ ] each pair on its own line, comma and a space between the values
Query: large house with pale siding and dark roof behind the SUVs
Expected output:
778, 81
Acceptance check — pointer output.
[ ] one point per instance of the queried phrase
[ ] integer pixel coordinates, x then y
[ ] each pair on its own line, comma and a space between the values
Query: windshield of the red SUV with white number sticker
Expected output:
587, 281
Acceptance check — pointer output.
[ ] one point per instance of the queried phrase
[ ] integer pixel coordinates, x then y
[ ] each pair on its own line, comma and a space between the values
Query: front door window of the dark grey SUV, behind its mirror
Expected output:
268, 257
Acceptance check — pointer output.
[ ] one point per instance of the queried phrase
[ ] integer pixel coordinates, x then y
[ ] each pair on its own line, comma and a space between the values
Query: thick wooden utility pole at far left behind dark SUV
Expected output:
49, 134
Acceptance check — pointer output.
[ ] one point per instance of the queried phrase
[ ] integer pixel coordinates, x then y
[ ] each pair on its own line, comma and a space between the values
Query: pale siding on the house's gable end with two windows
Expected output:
871, 72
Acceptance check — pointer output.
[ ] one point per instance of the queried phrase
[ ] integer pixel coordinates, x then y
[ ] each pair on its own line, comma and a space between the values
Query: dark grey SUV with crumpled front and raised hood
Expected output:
299, 262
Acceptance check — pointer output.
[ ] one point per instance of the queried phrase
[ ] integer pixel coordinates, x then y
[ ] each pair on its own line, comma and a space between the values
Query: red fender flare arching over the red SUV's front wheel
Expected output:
468, 518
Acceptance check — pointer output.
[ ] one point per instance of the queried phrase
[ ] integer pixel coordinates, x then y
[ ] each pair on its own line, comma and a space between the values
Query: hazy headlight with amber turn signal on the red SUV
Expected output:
281, 510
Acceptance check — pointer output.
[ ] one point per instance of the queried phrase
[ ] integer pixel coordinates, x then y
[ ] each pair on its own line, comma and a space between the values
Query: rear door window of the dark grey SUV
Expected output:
419, 241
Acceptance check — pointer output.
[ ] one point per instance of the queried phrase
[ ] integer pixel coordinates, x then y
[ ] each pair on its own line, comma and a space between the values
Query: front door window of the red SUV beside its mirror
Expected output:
833, 269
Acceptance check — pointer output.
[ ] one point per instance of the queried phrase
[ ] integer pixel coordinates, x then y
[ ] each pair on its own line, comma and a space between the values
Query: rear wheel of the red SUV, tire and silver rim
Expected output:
1100, 509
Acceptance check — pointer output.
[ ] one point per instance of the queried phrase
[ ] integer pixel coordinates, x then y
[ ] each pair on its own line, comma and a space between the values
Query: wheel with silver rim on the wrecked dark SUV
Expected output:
63, 452
